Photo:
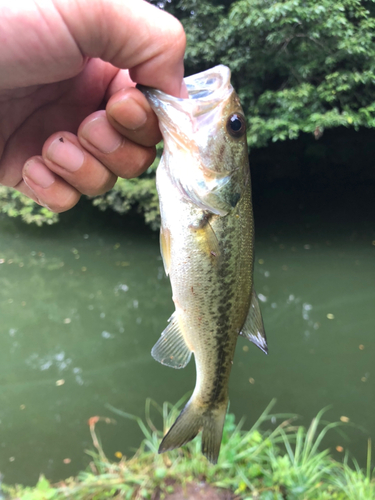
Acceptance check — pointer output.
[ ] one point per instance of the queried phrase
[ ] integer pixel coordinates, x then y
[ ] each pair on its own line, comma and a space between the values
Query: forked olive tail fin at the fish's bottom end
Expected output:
191, 420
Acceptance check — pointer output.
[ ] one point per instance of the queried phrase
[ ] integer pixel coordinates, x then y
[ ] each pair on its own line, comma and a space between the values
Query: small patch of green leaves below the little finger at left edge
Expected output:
16, 204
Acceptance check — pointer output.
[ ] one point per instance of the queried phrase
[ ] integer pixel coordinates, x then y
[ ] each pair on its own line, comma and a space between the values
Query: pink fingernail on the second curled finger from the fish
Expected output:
101, 135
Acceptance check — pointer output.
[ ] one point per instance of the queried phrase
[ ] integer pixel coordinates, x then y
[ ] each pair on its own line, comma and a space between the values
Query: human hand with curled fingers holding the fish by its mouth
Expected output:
59, 63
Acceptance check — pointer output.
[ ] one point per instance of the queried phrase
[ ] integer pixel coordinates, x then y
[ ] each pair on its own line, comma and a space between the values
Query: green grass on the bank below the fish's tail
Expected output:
285, 463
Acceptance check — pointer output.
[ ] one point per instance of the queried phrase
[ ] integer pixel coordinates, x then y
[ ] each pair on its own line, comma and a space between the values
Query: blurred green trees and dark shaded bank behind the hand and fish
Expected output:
302, 68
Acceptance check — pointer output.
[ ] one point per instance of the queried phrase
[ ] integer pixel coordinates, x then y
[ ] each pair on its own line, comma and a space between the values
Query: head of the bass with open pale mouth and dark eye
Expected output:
205, 148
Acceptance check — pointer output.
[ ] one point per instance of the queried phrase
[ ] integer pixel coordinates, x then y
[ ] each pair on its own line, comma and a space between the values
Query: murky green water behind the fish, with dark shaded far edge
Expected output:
82, 303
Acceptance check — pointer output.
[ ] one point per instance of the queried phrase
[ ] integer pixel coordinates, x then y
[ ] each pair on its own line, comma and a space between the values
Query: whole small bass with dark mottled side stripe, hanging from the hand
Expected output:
207, 244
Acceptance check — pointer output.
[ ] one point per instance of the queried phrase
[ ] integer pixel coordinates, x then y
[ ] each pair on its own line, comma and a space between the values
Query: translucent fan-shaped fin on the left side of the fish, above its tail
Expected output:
171, 349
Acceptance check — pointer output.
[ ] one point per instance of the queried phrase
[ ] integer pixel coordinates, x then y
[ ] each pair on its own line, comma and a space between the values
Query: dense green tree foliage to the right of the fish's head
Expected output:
298, 65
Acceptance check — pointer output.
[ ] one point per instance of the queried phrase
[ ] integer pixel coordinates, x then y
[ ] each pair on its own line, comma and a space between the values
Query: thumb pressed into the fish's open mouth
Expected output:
130, 34
